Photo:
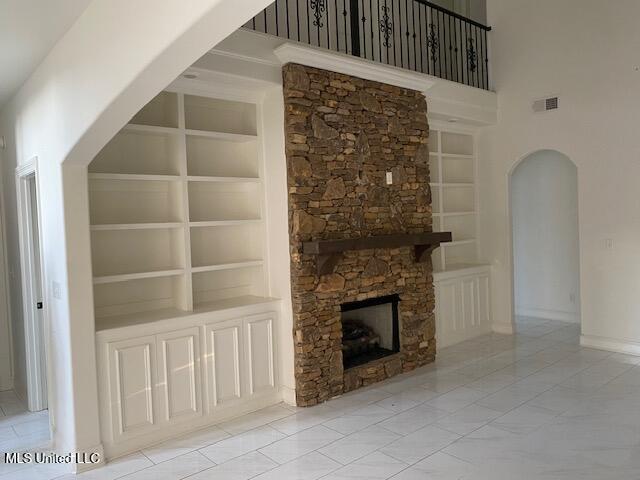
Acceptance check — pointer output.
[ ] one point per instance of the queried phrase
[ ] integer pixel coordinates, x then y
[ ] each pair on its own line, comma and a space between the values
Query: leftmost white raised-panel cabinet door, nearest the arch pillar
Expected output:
132, 378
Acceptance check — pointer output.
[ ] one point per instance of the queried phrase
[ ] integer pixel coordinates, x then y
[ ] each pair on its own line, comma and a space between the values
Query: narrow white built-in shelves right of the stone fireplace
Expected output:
453, 173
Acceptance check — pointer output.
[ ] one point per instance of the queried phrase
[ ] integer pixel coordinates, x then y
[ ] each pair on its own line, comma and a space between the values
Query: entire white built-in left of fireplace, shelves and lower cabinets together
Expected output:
185, 327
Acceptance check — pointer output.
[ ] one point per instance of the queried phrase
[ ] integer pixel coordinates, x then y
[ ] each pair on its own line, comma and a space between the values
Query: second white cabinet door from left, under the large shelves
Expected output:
179, 375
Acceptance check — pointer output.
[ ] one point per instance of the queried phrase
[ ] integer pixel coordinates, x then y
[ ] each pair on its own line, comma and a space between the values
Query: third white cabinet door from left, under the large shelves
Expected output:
224, 354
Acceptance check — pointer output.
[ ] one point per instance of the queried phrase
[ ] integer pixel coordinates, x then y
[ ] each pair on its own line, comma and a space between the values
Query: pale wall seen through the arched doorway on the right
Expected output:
544, 212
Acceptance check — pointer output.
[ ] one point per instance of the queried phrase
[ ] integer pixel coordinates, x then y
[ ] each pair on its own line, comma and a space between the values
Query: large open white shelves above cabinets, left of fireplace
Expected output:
176, 205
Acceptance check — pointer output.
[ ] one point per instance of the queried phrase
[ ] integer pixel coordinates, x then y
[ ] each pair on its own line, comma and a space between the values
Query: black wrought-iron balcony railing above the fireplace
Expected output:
412, 34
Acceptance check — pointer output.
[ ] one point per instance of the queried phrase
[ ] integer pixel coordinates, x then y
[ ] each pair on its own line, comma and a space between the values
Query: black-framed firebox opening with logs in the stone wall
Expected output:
369, 330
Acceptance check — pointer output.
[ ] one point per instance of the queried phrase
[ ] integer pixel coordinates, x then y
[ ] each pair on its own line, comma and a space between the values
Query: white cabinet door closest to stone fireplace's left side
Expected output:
258, 330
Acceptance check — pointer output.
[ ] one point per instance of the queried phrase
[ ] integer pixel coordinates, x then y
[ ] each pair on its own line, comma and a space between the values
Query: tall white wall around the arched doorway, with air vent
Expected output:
586, 51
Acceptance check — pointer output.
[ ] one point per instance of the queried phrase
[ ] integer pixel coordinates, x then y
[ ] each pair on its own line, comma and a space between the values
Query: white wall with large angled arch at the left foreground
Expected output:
116, 57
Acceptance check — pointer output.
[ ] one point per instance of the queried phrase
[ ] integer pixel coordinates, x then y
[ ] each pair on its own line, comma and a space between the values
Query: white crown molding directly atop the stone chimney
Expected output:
350, 65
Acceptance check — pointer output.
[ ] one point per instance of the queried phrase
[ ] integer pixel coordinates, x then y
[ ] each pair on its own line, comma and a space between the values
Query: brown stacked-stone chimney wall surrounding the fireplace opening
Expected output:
342, 135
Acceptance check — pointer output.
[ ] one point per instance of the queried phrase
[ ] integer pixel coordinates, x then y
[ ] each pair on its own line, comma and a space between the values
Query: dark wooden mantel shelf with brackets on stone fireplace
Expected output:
329, 252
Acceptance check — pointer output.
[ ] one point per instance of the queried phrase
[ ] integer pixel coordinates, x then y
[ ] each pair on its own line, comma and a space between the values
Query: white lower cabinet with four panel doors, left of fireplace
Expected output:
155, 386
